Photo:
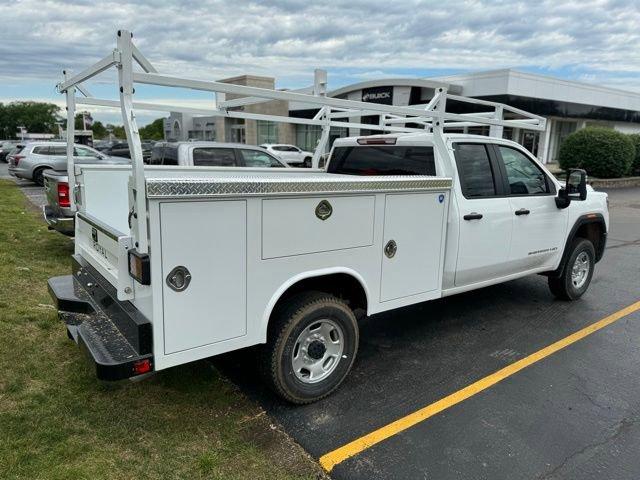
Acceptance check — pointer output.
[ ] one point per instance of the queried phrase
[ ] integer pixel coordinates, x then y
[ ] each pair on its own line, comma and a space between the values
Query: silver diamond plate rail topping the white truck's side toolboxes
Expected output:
196, 187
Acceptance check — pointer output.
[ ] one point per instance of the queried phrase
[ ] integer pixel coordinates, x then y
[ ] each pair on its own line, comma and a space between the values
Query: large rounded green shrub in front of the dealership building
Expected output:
602, 152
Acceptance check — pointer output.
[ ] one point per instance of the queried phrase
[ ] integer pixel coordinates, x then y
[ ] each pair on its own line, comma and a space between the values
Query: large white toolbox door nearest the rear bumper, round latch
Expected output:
204, 261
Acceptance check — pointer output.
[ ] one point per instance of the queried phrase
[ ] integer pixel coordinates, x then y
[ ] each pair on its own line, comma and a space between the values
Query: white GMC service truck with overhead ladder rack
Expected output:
176, 264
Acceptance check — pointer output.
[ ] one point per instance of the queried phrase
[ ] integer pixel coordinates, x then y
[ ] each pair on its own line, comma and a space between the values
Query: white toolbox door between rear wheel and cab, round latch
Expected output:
412, 244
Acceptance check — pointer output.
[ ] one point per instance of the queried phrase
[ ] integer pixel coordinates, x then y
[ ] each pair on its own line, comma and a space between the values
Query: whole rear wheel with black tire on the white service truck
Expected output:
308, 332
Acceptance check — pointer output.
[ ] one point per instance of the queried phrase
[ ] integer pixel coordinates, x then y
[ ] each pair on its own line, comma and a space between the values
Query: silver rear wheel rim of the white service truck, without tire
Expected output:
317, 351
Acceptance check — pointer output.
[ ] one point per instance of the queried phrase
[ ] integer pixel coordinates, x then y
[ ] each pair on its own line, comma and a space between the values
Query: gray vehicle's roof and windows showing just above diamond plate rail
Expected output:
212, 154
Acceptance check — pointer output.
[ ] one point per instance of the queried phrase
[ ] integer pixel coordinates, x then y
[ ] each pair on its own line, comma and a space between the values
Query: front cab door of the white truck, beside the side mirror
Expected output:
539, 226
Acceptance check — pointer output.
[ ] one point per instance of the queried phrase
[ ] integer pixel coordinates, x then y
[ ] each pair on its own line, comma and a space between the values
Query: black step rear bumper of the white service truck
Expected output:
116, 336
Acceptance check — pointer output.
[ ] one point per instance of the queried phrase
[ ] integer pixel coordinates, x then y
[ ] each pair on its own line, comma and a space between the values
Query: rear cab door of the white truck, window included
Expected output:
484, 216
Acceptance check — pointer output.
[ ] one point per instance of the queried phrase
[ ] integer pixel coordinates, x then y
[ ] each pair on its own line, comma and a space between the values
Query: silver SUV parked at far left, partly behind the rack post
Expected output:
34, 158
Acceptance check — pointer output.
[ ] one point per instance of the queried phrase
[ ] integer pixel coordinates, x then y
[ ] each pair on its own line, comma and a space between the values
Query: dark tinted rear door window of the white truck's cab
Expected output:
474, 168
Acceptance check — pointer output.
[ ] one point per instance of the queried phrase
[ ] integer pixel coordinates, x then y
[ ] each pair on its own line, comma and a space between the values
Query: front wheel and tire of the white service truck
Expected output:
575, 280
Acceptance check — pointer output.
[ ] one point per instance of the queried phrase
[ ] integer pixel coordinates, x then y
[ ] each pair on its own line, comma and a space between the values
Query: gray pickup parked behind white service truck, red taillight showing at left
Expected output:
60, 216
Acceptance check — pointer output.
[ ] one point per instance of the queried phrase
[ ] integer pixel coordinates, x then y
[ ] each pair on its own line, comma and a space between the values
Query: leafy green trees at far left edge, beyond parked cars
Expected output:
36, 117
